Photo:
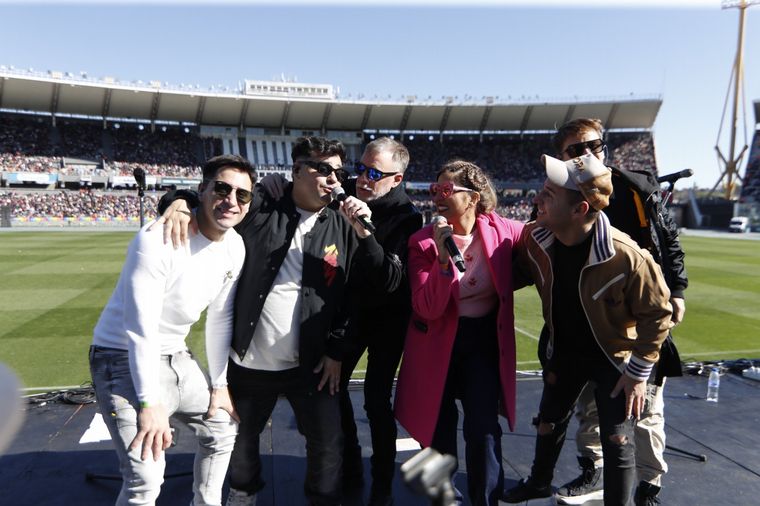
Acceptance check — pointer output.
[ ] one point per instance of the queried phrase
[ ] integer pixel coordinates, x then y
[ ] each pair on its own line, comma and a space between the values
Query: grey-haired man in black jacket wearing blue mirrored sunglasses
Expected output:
380, 290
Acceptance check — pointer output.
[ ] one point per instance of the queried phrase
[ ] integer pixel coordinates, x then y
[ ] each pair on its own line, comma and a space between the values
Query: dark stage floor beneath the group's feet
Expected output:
48, 465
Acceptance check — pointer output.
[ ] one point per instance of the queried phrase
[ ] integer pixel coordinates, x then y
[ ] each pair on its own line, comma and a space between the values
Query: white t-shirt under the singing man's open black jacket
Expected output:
274, 346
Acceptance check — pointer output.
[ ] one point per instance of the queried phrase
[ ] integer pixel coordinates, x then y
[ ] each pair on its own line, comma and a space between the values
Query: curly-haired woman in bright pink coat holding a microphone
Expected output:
460, 343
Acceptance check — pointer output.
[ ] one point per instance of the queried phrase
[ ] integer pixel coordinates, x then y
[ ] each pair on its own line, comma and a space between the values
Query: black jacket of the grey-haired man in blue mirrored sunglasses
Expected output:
380, 286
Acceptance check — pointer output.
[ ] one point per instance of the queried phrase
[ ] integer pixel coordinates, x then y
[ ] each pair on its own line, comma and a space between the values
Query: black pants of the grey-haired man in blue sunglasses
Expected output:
383, 356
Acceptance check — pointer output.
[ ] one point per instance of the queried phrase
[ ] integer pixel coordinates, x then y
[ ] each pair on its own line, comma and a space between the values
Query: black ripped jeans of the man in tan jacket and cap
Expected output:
564, 379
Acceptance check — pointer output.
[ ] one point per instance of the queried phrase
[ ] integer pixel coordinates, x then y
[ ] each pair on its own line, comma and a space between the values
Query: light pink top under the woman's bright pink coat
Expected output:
477, 293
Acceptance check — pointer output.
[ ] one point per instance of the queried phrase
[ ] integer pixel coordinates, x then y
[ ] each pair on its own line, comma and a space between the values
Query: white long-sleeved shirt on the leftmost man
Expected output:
161, 293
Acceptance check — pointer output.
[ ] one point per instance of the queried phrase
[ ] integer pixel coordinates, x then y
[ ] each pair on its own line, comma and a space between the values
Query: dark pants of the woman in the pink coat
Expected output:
473, 377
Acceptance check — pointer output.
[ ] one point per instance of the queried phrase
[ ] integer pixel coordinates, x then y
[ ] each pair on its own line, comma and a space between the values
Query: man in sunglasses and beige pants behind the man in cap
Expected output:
634, 208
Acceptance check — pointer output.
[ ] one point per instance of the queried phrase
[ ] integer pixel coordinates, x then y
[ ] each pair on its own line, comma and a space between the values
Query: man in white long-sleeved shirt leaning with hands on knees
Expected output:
141, 367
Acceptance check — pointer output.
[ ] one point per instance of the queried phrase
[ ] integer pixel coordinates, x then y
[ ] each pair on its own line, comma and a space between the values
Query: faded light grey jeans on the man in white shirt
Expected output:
185, 395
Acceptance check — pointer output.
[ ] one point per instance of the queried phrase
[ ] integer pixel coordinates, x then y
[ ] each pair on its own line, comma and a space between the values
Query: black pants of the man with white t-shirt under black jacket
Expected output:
318, 419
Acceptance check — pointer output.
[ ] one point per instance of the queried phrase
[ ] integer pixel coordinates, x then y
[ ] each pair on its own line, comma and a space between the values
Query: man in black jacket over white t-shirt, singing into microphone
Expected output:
291, 319
